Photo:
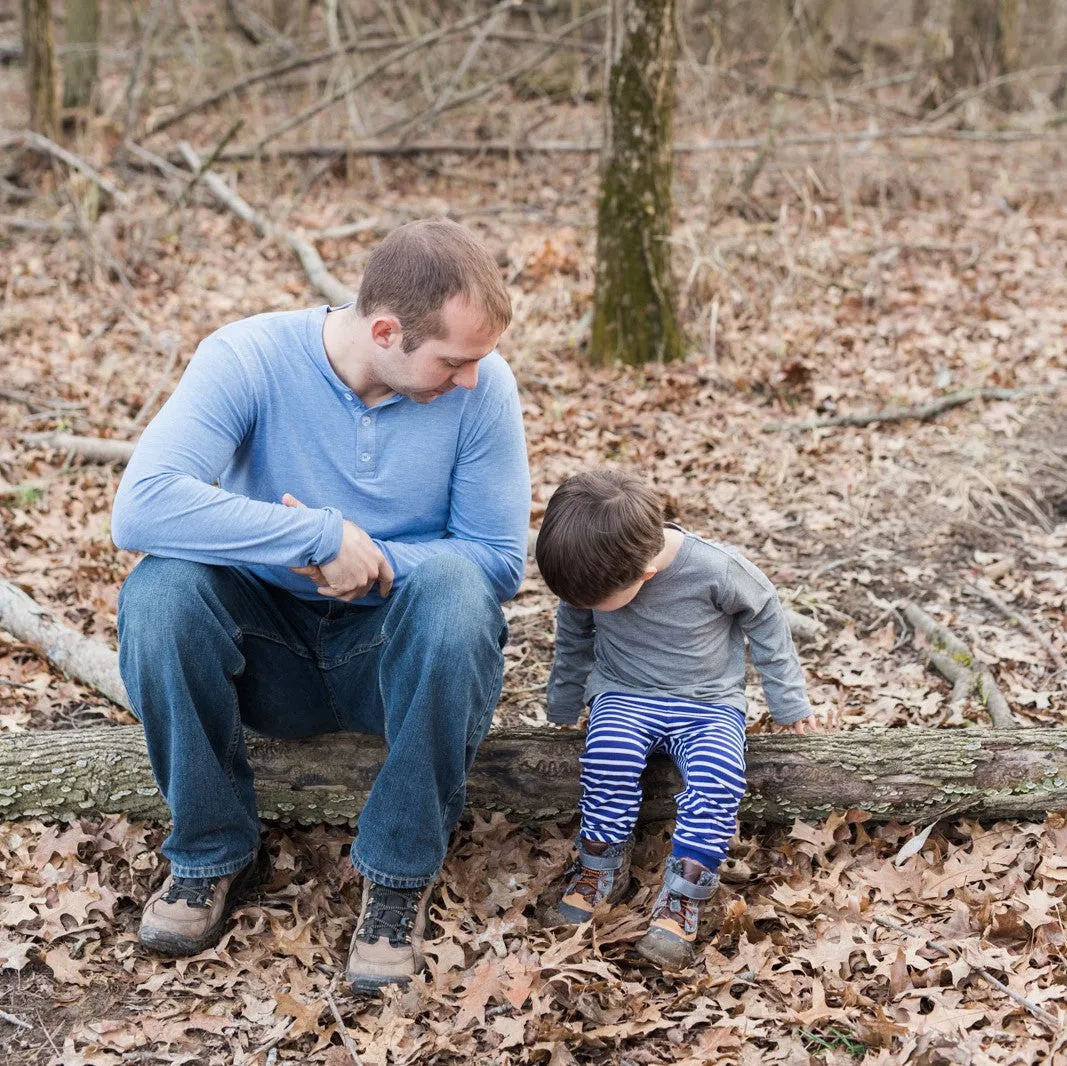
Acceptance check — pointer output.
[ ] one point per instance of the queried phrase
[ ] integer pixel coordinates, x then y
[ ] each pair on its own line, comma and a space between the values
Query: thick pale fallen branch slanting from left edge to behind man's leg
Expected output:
81, 658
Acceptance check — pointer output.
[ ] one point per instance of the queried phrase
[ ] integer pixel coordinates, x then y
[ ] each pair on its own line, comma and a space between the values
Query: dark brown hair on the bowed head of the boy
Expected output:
601, 531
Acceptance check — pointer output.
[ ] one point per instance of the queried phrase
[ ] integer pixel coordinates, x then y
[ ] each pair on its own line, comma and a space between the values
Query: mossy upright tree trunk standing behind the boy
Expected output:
634, 315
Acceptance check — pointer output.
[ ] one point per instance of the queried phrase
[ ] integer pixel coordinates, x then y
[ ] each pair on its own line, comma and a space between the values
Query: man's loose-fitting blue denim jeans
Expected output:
206, 650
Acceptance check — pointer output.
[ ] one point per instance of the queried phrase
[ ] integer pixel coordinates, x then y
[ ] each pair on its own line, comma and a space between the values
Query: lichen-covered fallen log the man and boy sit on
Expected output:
904, 774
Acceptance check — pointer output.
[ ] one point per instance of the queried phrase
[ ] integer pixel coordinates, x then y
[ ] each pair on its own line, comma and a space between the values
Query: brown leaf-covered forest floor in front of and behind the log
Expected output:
937, 266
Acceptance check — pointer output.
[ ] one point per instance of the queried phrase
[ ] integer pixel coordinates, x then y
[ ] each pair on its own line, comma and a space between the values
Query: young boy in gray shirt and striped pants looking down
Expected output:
651, 633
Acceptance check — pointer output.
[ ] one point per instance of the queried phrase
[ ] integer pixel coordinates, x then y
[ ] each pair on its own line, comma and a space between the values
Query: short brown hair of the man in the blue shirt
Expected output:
420, 267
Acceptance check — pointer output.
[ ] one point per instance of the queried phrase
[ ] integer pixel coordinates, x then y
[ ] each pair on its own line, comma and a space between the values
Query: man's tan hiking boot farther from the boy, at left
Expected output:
187, 915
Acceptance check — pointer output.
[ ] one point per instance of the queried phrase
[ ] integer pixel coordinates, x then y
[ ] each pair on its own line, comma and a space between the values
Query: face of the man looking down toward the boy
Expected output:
439, 365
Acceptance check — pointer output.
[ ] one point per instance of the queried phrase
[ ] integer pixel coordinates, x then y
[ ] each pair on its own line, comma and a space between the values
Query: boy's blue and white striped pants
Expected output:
707, 743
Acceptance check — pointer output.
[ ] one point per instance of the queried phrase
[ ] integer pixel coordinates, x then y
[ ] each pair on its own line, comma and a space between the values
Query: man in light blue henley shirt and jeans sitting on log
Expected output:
371, 514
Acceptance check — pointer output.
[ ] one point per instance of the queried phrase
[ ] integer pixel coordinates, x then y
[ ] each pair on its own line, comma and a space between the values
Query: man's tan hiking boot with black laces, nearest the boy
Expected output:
387, 946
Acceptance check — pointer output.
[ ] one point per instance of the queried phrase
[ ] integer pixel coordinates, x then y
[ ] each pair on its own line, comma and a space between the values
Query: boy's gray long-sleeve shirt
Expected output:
682, 635
